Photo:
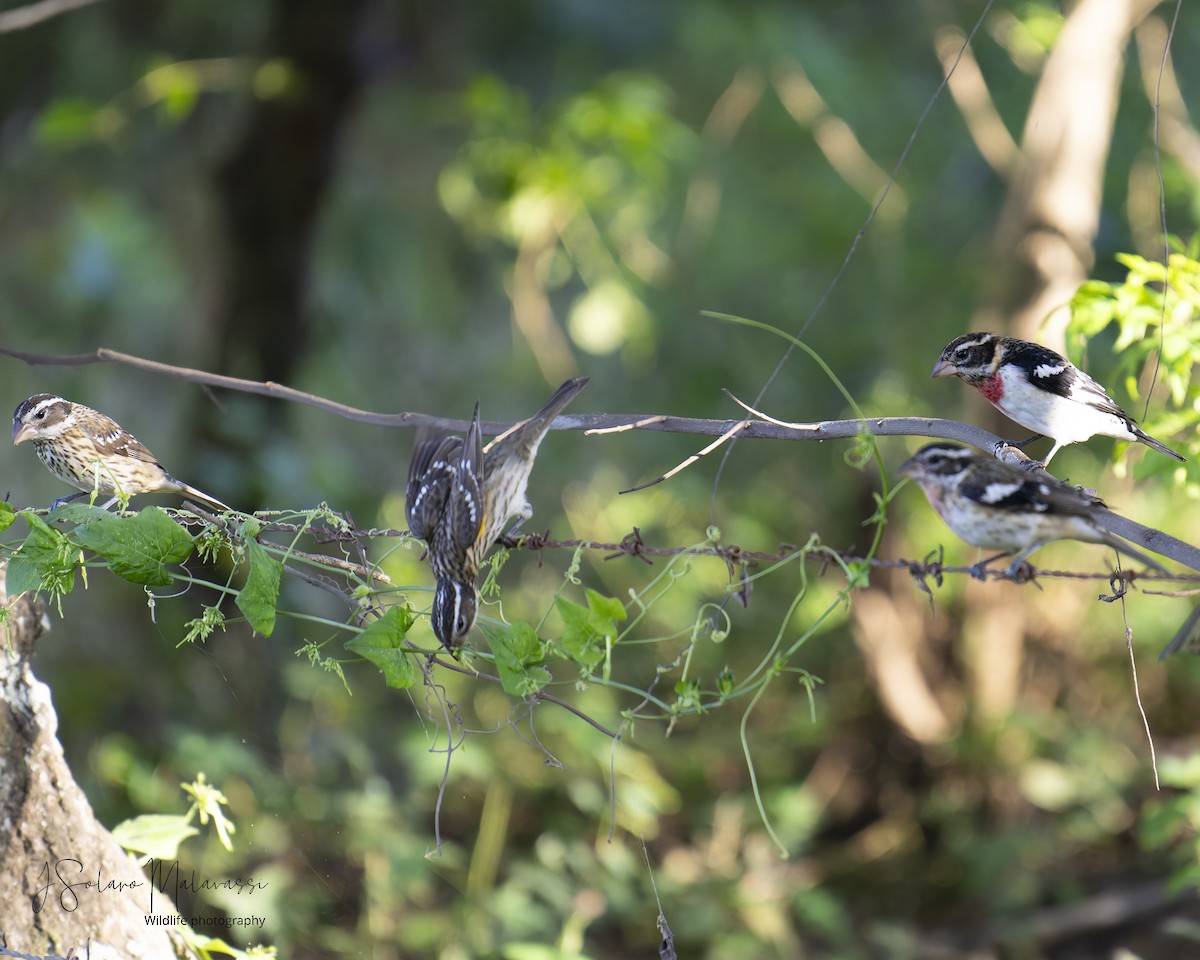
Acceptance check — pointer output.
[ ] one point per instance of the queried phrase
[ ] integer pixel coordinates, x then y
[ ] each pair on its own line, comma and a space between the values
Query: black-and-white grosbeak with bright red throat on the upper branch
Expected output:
1040, 389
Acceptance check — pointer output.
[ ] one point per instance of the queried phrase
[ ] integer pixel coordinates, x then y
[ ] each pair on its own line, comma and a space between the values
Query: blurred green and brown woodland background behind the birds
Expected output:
412, 207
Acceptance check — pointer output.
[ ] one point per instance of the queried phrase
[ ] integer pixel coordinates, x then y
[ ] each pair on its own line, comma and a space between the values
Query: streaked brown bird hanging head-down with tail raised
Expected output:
459, 499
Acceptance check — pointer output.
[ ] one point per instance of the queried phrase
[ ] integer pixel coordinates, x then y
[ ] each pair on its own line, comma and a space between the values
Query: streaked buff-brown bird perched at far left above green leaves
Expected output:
91, 452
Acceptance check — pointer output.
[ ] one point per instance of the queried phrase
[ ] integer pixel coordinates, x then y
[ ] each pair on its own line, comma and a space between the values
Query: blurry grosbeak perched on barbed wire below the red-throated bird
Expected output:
995, 506
